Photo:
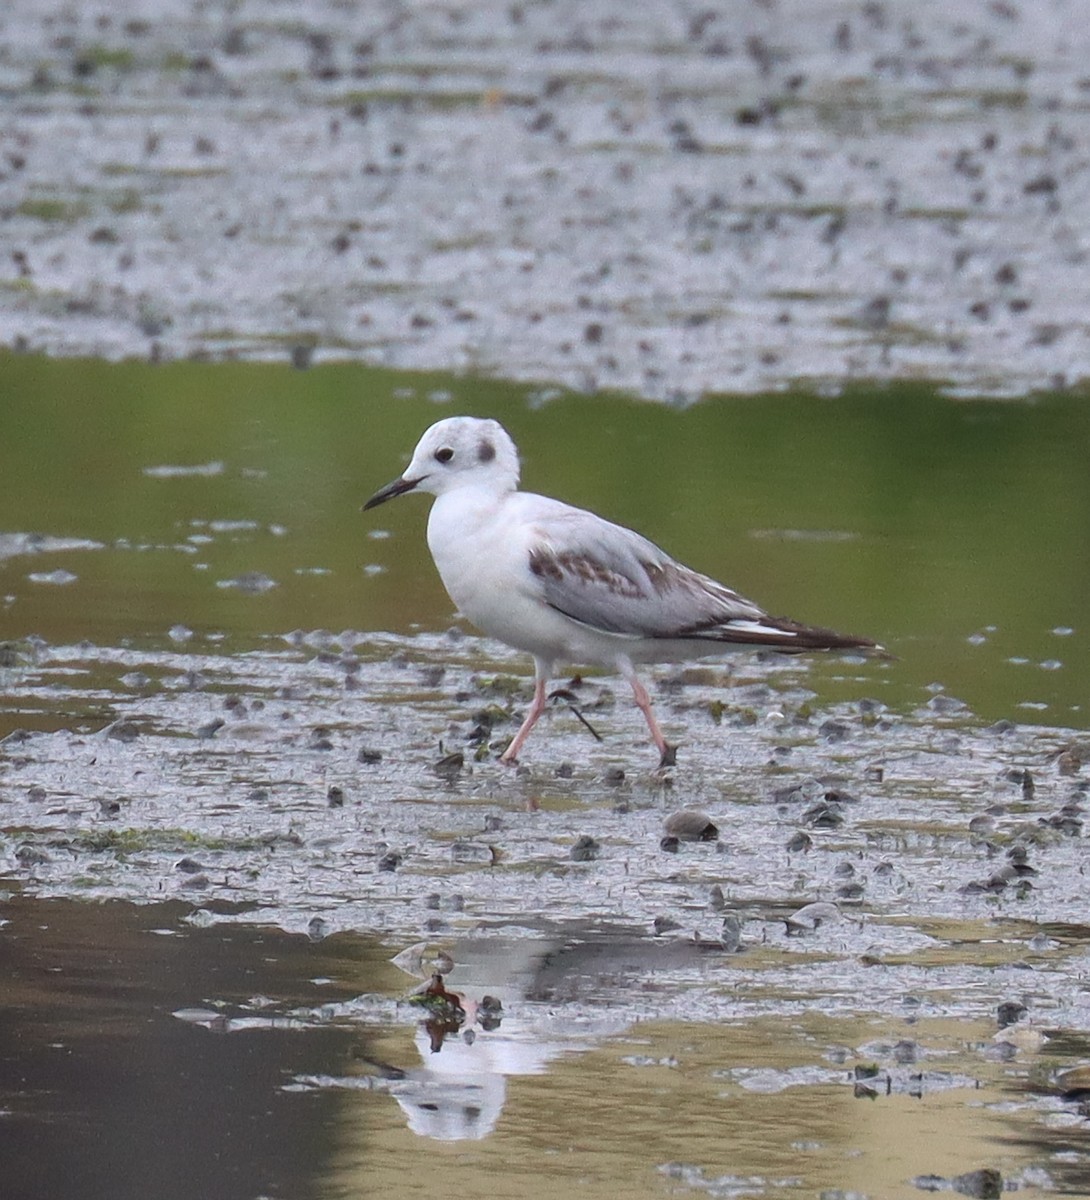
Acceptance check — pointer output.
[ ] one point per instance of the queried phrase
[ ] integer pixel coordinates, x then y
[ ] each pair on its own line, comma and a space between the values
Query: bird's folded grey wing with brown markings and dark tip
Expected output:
610, 579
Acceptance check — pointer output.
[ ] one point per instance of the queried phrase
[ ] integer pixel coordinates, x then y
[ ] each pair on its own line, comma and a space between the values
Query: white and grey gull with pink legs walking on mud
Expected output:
565, 585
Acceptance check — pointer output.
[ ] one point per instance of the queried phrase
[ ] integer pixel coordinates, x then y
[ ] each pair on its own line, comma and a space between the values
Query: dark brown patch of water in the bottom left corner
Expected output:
106, 1094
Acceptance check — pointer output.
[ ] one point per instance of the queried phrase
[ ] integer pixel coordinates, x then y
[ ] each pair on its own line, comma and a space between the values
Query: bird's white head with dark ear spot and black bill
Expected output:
459, 452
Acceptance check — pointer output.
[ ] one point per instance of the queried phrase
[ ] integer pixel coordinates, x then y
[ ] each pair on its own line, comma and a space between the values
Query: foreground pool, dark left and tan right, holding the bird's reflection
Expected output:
143, 1057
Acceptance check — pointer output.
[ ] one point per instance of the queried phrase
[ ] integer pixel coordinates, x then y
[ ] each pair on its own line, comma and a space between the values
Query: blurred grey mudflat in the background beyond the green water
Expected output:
604, 196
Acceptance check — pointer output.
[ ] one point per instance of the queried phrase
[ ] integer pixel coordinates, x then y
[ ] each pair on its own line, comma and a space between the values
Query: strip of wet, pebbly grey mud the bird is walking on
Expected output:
360, 789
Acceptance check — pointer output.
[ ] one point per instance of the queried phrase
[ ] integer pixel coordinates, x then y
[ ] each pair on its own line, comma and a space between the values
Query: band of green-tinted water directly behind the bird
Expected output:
955, 533
